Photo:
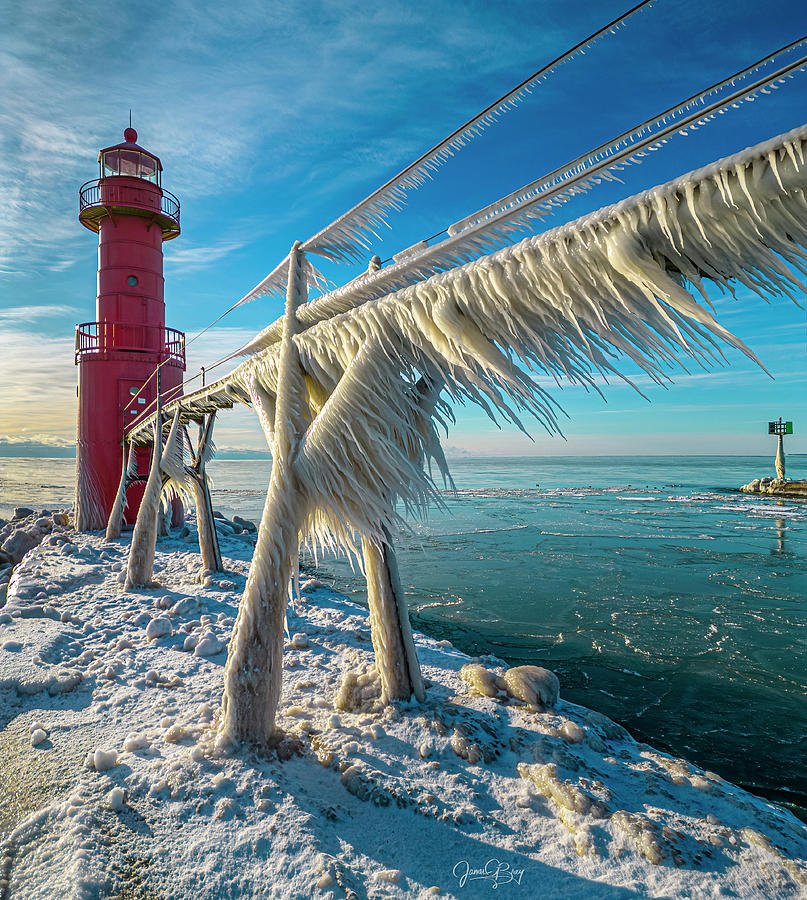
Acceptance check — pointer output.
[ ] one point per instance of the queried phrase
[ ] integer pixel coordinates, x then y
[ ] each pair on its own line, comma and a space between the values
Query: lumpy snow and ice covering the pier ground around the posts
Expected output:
111, 784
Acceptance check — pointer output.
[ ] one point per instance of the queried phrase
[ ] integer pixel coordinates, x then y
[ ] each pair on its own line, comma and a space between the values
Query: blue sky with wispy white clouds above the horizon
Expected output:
273, 118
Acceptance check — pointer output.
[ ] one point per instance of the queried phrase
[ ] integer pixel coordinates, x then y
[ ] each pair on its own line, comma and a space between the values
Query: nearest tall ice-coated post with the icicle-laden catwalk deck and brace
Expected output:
357, 396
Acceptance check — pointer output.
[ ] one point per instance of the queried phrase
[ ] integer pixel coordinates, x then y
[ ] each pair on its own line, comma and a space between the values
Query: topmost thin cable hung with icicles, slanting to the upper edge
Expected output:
346, 238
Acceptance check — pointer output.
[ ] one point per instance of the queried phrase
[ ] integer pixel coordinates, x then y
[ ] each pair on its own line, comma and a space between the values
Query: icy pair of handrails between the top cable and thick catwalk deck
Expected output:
494, 226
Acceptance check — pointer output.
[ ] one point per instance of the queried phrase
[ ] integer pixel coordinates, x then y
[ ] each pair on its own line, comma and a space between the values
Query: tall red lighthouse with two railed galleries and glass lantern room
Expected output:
117, 353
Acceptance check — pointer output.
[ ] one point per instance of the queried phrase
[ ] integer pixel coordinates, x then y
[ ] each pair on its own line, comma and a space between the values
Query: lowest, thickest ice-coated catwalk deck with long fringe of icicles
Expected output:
571, 298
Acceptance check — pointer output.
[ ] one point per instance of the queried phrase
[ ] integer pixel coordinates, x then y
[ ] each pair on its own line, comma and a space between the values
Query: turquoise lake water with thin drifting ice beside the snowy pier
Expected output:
659, 594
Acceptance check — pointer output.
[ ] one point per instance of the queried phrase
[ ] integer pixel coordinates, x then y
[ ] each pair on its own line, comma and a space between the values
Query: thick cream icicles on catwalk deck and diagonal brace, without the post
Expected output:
563, 303
